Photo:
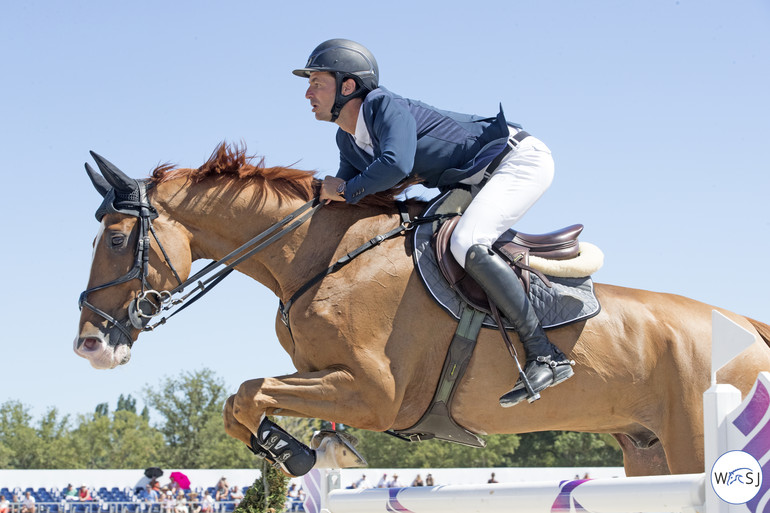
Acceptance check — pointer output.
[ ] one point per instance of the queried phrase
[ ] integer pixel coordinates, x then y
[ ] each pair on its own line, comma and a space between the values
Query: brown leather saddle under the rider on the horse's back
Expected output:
515, 248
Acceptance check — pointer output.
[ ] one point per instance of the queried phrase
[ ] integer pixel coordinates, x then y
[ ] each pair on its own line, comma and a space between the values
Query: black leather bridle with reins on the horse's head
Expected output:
149, 302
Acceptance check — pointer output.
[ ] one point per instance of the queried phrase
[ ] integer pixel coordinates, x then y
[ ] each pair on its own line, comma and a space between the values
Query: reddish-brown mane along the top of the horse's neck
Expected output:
233, 161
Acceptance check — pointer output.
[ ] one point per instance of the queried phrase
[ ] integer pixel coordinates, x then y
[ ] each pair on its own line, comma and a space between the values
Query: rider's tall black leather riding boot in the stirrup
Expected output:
545, 364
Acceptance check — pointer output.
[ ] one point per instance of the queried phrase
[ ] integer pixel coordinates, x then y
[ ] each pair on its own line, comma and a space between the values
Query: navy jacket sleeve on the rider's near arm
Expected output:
395, 135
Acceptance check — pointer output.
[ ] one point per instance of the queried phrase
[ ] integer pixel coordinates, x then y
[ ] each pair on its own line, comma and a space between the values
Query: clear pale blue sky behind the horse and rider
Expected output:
656, 112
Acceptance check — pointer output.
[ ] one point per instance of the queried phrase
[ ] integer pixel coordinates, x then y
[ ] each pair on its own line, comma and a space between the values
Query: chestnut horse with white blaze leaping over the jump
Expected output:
368, 342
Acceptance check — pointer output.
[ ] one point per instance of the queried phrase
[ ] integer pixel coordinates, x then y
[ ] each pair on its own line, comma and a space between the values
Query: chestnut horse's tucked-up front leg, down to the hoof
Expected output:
327, 394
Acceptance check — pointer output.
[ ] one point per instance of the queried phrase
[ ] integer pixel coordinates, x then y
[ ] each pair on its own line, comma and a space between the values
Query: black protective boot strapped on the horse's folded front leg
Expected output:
282, 450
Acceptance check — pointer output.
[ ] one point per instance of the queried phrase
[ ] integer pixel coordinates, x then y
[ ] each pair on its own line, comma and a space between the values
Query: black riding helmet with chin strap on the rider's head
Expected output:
345, 59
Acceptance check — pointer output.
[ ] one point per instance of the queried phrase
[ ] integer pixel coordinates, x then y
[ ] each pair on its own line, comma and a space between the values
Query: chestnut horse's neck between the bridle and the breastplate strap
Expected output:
219, 219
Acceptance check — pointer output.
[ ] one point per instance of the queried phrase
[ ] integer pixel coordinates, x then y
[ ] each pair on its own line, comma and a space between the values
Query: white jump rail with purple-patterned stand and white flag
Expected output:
729, 424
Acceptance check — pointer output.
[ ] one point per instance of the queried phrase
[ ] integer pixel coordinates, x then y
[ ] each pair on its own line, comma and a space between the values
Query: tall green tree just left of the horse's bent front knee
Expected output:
188, 405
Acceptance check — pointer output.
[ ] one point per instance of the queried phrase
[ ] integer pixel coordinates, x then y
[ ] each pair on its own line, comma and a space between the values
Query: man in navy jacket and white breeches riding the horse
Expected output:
384, 139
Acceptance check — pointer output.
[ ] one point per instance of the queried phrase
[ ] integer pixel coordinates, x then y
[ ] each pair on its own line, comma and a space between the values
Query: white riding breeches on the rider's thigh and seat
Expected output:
518, 182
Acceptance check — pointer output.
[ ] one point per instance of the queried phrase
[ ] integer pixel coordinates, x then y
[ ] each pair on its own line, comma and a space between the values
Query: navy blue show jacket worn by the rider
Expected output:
412, 139
